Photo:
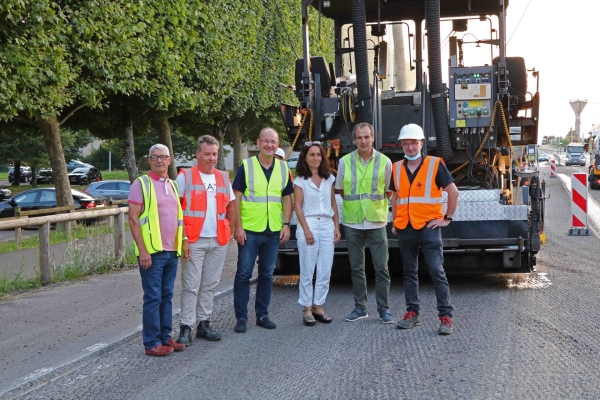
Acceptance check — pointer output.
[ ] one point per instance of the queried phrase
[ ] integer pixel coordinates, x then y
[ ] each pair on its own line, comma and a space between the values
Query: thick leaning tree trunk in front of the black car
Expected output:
51, 131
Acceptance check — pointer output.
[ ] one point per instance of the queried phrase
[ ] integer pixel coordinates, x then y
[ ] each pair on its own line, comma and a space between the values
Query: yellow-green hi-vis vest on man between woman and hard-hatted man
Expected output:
364, 189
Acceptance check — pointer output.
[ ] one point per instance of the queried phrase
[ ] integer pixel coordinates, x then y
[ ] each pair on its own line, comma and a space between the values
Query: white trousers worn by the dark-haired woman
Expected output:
319, 255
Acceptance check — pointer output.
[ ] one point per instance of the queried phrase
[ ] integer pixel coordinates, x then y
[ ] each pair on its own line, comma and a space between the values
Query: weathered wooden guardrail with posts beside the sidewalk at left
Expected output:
43, 224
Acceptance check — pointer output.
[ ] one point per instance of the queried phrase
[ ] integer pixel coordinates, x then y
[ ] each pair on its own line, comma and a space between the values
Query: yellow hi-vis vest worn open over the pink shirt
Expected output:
150, 221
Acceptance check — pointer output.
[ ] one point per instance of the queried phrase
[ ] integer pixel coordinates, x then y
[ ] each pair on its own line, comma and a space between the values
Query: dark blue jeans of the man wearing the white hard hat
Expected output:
430, 241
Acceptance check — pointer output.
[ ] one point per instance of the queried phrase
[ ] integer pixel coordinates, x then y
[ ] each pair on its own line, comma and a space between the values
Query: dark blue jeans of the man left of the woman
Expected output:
265, 246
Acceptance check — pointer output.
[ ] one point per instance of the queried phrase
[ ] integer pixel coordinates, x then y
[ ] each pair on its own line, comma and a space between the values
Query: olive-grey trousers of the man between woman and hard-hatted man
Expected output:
376, 239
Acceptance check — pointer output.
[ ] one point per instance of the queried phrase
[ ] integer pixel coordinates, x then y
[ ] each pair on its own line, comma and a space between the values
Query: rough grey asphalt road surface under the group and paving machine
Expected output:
529, 336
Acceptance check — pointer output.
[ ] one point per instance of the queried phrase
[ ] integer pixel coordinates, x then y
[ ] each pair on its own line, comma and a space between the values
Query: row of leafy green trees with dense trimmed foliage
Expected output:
123, 70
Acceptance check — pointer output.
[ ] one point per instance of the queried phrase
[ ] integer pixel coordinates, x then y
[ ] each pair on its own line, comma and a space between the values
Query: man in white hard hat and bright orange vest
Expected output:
417, 183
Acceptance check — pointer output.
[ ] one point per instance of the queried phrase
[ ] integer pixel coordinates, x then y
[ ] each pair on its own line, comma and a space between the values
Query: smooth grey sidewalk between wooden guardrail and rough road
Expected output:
46, 329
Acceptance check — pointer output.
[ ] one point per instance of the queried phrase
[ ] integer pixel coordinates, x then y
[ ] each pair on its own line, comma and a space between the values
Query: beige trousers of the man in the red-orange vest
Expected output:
199, 279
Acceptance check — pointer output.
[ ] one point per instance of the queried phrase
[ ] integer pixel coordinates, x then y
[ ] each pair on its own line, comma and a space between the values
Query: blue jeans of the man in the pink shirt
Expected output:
157, 282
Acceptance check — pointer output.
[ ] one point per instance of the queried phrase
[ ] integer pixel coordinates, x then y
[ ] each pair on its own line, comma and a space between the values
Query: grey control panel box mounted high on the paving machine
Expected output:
471, 96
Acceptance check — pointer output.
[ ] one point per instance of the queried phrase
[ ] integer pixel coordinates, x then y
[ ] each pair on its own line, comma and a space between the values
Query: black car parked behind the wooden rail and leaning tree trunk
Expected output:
37, 199
